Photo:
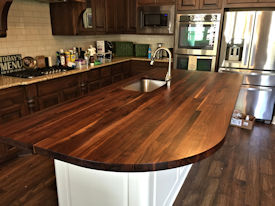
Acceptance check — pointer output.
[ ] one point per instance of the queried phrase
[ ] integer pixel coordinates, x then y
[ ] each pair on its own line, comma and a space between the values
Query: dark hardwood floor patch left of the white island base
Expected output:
28, 181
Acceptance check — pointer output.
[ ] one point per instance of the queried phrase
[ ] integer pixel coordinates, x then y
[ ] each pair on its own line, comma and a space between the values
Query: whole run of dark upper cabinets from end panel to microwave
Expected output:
93, 17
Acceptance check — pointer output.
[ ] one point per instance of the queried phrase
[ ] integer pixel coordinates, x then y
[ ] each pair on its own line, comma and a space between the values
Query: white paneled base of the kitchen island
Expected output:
79, 186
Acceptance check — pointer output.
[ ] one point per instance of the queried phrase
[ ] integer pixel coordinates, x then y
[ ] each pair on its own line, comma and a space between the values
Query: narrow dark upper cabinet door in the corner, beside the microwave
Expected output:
131, 16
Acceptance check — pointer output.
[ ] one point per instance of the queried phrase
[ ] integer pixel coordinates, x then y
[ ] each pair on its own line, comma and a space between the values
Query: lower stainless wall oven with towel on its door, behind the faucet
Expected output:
199, 63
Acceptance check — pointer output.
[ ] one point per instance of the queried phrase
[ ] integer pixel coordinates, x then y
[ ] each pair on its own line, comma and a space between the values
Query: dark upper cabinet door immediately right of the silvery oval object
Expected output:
99, 10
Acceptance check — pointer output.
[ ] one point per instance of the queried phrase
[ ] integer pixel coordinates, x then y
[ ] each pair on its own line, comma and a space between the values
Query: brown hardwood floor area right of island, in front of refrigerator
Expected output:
241, 173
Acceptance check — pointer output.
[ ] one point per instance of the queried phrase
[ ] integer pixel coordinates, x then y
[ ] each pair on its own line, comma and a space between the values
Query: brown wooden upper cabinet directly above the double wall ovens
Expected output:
199, 4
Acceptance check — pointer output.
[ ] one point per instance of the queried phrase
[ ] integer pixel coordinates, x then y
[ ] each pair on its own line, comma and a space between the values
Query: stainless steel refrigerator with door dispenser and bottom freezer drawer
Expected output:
248, 47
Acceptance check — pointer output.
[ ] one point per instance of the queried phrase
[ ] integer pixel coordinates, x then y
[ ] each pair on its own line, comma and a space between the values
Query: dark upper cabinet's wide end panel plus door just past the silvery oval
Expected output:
78, 18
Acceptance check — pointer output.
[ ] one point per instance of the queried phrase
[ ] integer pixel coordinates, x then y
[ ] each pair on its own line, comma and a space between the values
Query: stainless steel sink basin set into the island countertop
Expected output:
145, 85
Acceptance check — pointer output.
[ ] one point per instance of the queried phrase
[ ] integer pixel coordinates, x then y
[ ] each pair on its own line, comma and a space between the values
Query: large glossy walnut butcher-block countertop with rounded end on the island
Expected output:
114, 129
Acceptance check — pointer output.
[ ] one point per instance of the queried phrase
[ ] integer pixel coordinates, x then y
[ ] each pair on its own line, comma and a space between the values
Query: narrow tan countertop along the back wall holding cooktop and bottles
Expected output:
7, 82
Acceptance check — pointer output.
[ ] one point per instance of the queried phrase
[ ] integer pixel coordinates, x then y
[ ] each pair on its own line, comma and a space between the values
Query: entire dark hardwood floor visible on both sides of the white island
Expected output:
240, 173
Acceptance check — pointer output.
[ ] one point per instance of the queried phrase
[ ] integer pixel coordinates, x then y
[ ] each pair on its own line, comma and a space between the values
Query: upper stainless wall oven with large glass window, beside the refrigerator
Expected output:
197, 34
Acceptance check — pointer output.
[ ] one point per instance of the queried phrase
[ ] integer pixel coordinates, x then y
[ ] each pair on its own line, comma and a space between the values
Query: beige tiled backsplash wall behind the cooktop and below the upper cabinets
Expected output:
29, 33
